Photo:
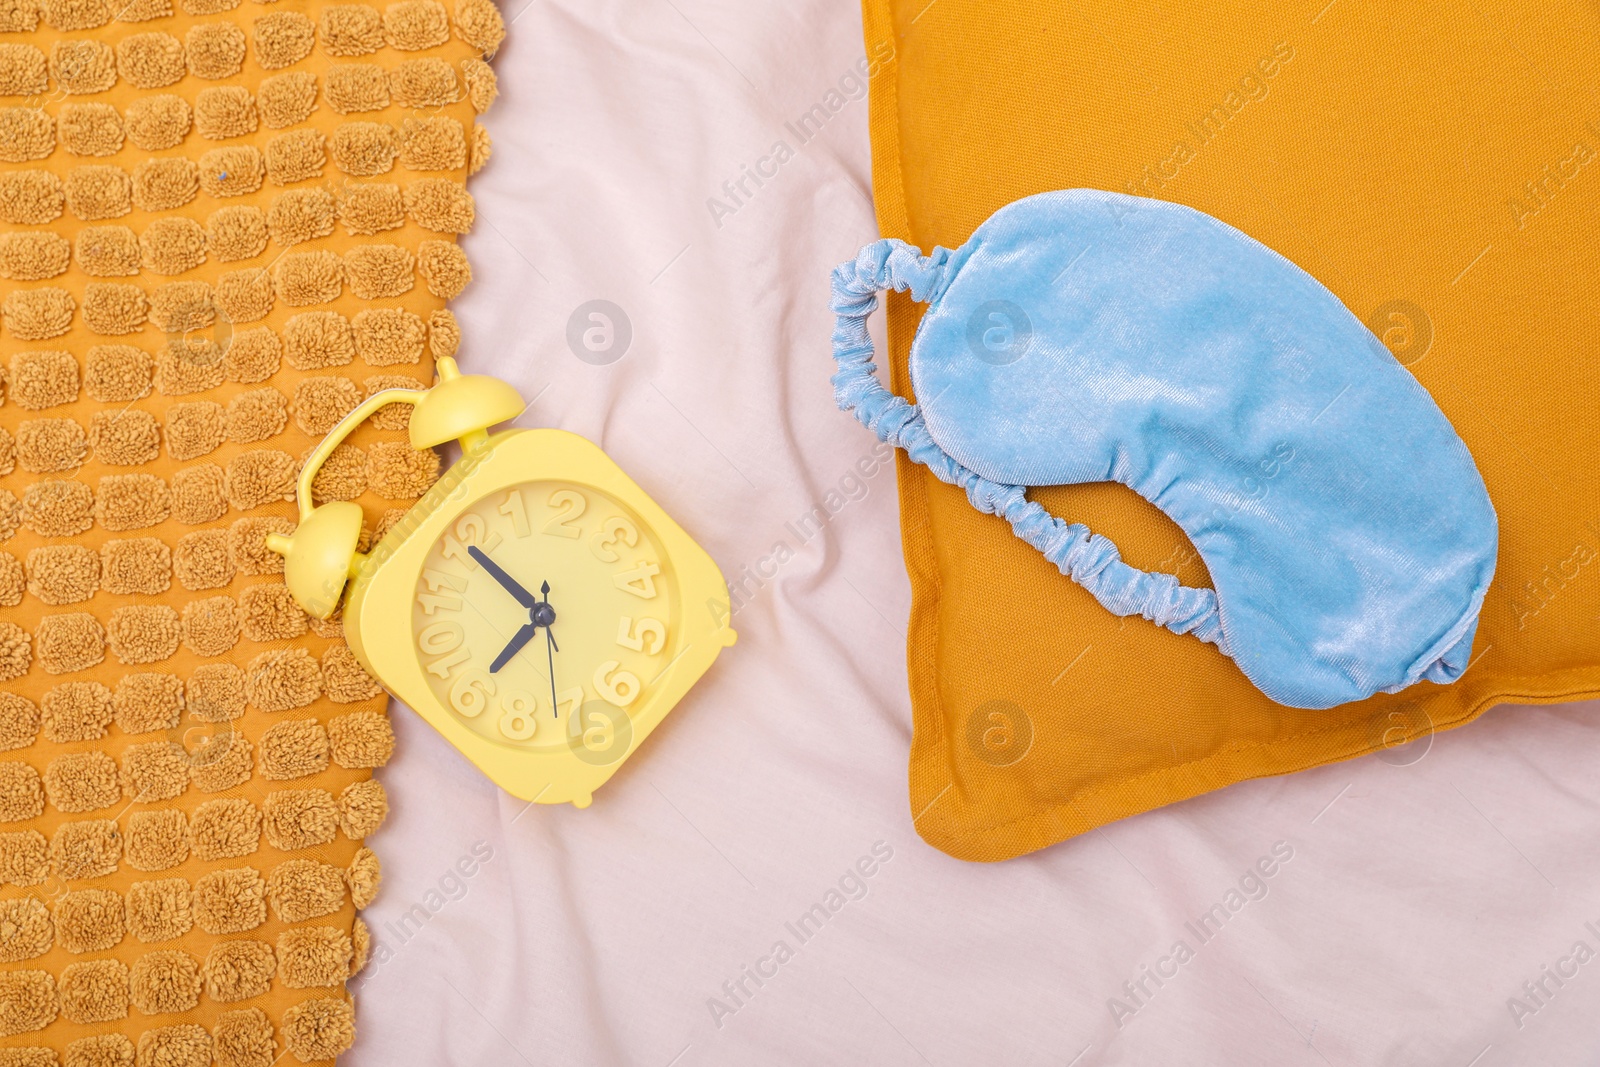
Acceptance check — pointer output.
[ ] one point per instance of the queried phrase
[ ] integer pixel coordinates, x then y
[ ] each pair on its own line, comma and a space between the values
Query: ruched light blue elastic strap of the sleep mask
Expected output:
1087, 559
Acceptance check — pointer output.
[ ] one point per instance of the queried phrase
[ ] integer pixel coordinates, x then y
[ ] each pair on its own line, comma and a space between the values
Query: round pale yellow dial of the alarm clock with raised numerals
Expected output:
543, 615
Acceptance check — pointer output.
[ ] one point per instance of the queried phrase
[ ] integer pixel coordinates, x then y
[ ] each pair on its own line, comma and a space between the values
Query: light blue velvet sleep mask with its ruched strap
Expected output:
1092, 337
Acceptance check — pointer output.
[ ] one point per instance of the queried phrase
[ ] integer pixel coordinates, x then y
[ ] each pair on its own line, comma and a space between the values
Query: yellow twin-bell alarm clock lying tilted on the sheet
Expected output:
537, 607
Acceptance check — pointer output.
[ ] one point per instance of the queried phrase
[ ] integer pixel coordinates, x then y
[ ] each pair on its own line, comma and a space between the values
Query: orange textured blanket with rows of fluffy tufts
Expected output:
222, 226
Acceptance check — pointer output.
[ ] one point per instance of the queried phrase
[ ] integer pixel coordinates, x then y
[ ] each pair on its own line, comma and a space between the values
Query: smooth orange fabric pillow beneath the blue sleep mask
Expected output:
1423, 174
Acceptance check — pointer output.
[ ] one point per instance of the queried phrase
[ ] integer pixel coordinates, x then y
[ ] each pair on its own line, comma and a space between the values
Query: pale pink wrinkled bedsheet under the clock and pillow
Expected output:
750, 890
